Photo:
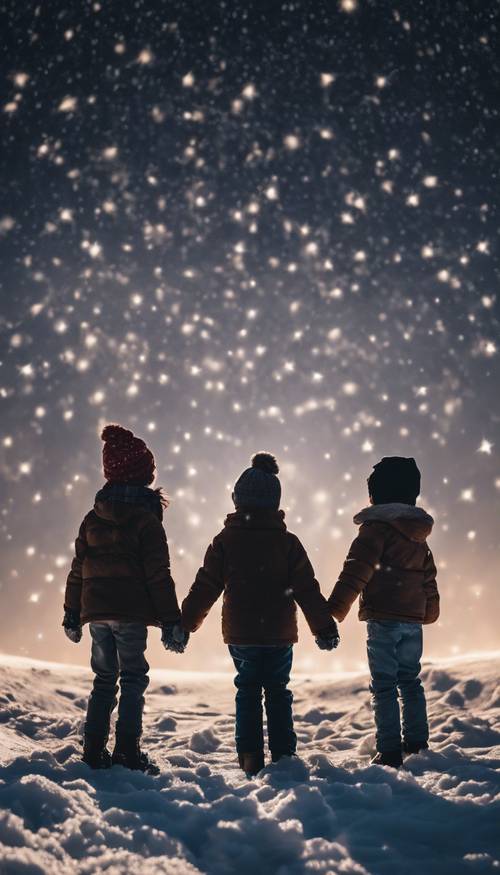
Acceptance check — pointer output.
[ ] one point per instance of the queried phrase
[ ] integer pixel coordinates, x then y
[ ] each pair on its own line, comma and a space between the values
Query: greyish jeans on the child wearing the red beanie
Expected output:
117, 652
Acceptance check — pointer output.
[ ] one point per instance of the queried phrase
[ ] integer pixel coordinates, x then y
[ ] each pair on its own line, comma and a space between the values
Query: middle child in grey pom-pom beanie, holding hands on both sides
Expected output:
262, 569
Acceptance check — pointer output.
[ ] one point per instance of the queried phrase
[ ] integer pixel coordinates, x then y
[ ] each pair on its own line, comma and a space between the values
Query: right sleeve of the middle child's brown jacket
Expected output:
306, 591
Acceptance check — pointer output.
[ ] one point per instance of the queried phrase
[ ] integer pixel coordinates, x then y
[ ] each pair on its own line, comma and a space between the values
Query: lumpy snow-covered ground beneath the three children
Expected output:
328, 812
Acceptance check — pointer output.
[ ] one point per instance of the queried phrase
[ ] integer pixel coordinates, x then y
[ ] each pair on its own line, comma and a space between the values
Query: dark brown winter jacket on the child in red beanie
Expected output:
121, 569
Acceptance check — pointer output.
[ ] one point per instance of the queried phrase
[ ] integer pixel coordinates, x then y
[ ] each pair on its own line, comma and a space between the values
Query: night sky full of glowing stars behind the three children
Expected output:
233, 227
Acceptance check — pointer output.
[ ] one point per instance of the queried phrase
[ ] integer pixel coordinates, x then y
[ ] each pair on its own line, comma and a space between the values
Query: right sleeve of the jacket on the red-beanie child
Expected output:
155, 560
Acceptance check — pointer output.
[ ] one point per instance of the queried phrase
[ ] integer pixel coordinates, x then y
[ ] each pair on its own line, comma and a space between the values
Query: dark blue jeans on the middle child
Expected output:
268, 669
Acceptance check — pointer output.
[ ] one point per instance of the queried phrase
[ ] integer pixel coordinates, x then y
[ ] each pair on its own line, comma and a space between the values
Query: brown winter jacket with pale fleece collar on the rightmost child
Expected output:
390, 567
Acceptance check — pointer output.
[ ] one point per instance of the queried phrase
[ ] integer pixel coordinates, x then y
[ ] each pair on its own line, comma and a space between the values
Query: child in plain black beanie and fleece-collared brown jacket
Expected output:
391, 568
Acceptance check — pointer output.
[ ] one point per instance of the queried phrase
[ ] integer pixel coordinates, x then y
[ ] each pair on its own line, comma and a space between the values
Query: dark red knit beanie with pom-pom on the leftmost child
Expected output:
125, 458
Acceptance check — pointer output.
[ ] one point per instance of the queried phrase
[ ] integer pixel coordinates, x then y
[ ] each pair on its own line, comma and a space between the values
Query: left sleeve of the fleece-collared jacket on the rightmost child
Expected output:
361, 562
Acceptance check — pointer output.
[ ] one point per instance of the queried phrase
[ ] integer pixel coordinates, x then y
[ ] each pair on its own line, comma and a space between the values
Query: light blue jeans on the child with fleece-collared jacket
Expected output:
394, 653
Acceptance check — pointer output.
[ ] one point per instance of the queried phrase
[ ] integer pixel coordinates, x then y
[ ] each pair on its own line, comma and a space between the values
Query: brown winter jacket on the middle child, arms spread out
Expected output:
262, 569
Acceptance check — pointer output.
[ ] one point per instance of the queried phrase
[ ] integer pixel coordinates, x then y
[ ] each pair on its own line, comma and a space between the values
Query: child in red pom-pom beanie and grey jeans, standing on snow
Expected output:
120, 583
